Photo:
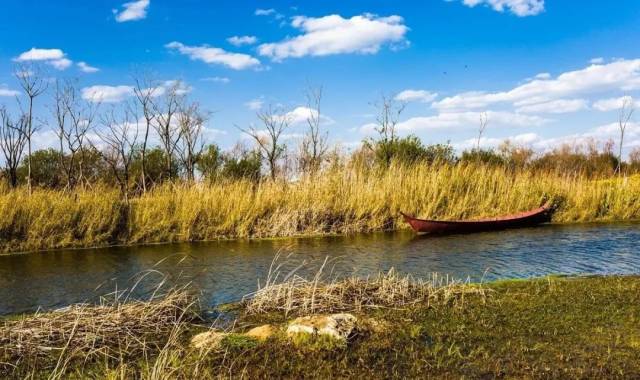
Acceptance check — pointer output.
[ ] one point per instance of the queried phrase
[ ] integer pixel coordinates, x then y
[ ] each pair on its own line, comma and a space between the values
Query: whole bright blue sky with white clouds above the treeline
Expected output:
545, 72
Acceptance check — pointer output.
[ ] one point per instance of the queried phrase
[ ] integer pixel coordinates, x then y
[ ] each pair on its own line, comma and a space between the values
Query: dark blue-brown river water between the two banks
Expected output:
225, 271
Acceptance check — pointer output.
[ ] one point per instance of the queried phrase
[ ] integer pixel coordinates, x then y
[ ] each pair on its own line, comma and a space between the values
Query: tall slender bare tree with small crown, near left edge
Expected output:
33, 84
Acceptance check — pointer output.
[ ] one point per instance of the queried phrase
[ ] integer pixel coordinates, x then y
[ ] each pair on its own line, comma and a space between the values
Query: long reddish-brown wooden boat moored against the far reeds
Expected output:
523, 219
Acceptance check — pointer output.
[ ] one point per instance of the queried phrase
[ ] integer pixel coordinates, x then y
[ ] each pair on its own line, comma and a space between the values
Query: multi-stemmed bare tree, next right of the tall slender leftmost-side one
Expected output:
75, 117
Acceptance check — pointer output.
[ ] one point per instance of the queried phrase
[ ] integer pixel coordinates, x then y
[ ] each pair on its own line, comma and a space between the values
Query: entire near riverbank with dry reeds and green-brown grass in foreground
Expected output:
584, 327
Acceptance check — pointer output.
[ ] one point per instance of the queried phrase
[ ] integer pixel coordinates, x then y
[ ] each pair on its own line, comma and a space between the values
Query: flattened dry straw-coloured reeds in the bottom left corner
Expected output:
85, 334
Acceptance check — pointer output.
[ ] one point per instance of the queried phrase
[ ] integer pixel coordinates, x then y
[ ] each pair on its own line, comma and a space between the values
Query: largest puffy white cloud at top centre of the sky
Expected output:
328, 35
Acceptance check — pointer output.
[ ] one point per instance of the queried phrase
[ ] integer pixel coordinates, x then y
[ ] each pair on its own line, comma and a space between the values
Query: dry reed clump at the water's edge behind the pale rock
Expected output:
295, 294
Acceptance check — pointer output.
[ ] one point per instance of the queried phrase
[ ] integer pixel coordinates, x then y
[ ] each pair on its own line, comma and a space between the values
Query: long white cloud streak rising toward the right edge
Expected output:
622, 75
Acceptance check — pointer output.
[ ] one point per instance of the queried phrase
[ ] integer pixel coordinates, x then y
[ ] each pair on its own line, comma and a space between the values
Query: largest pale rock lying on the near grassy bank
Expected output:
338, 326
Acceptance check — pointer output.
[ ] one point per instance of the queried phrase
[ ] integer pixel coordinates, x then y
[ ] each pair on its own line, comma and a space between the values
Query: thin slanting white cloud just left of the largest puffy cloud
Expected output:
213, 55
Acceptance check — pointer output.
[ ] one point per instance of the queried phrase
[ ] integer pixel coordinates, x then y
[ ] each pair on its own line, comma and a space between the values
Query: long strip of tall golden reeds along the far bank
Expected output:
338, 202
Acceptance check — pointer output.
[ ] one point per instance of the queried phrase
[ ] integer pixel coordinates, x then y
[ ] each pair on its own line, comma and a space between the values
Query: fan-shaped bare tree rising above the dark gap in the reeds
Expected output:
119, 136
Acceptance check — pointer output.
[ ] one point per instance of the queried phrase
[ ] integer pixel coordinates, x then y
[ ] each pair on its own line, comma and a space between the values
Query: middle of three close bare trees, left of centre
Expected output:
166, 109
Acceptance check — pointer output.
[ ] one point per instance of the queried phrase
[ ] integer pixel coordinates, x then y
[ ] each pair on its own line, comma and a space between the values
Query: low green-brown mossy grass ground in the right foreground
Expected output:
587, 327
